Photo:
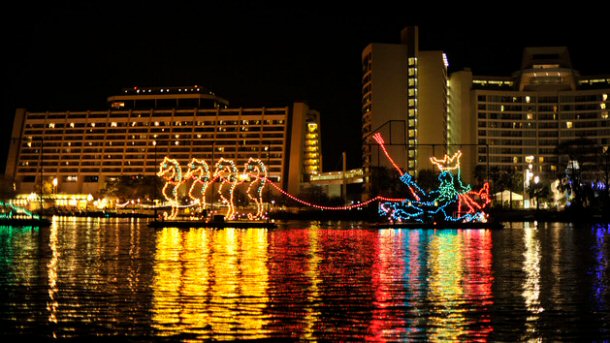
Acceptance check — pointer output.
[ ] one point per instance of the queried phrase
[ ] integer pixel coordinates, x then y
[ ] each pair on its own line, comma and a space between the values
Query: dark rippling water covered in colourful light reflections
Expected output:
118, 279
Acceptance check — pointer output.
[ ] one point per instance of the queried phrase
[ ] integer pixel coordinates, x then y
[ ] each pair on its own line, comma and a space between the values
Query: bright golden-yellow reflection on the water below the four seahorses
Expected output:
210, 284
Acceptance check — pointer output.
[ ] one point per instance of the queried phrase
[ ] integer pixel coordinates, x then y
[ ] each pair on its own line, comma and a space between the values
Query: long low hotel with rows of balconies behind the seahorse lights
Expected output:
85, 149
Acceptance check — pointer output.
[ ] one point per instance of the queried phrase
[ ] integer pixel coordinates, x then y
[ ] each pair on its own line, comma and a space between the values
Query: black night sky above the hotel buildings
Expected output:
71, 55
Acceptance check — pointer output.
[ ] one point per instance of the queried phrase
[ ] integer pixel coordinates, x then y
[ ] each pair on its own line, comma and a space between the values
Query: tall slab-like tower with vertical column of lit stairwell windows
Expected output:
404, 97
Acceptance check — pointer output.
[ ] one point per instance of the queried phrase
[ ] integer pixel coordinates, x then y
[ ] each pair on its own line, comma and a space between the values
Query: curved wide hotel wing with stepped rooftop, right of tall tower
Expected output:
517, 122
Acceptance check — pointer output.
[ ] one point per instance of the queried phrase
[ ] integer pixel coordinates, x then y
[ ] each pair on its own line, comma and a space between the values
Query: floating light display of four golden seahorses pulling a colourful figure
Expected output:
450, 193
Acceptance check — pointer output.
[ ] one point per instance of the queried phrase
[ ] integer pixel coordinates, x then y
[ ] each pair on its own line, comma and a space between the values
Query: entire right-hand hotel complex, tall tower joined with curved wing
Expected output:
514, 122
